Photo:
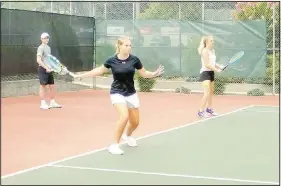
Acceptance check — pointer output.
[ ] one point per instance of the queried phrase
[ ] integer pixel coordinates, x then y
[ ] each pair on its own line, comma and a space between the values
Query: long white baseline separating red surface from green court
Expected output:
98, 150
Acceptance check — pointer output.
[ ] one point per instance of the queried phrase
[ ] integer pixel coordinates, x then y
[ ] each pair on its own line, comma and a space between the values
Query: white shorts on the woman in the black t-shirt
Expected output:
131, 101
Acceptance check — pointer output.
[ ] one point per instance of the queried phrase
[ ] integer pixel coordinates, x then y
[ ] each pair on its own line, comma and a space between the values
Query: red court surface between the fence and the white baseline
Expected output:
31, 137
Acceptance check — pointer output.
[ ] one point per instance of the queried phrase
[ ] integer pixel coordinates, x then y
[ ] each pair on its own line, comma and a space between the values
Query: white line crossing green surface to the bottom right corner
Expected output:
164, 174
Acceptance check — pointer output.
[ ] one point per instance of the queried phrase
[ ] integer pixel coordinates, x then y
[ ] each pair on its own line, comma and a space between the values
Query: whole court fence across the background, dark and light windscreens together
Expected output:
83, 35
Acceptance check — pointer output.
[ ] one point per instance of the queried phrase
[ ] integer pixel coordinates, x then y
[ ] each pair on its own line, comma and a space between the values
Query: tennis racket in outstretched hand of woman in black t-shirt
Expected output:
56, 66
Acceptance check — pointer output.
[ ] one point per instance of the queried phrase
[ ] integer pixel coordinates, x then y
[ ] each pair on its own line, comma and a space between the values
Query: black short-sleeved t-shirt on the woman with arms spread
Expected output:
123, 74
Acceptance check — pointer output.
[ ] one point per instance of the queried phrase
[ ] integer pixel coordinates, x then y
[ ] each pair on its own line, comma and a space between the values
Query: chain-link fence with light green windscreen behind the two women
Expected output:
169, 33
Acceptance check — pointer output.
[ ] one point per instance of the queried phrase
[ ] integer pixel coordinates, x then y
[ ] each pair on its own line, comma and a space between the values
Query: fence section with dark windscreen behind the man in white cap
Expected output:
71, 41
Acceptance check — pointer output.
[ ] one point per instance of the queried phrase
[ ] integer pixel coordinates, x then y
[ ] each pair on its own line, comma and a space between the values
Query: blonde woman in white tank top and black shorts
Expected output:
207, 75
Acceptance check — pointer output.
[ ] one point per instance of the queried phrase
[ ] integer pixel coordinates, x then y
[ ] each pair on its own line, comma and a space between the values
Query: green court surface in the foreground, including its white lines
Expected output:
241, 147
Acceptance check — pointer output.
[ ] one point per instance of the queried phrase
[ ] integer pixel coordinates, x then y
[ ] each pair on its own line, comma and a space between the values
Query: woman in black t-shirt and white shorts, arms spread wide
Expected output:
122, 93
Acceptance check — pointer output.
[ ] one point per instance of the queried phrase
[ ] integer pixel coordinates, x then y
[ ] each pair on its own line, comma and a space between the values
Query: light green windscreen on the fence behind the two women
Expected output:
174, 44
